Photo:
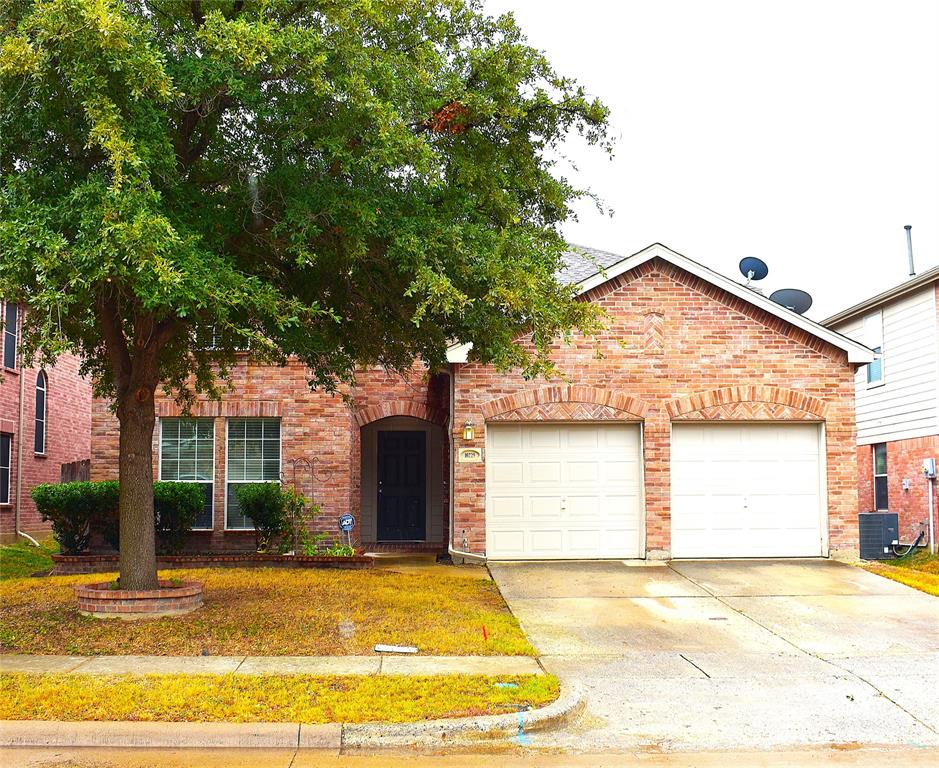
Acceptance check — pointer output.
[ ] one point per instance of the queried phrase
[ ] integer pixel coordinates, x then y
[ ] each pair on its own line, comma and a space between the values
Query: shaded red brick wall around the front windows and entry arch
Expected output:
316, 426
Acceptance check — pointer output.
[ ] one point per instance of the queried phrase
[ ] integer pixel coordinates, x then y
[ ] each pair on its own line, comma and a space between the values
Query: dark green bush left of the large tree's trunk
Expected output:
74, 508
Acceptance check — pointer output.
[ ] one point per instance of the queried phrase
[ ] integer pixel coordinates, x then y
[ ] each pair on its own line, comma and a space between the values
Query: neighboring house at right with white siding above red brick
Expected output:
897, 397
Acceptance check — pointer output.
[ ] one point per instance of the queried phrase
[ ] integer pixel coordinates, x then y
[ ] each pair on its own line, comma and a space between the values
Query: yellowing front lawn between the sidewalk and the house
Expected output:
275, 612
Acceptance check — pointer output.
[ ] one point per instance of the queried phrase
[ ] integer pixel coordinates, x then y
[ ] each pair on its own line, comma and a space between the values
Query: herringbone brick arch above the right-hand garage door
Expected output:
748, 403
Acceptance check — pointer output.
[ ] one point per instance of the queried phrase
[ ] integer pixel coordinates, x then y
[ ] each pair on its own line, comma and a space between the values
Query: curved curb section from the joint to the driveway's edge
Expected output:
466, 730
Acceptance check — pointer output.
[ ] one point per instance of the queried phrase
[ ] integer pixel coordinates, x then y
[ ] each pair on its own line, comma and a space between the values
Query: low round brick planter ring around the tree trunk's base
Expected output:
171, 599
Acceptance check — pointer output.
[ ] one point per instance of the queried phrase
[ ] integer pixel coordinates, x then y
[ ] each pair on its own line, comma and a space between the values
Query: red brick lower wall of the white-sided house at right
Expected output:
904, 462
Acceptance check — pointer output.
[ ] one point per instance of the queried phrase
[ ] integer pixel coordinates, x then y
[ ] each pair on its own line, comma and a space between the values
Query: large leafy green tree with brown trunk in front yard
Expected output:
345, 181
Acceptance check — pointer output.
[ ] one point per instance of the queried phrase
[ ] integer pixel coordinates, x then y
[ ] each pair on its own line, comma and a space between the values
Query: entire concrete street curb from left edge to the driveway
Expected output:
333, 737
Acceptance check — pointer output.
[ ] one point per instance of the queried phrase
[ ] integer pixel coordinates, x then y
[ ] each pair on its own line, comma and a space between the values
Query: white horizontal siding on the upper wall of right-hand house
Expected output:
907, 403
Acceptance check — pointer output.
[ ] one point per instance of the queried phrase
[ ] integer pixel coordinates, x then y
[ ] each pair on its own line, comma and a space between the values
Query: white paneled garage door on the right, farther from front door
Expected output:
746, 490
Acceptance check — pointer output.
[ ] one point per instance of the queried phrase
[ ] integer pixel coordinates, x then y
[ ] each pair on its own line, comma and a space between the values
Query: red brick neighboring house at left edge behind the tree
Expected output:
45, 422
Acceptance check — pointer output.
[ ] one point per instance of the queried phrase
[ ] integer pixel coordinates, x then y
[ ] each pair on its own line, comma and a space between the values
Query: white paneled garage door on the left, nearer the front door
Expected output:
556, 491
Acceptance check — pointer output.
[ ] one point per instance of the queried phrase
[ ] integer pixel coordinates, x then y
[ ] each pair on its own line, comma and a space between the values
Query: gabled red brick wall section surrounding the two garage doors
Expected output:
676, 347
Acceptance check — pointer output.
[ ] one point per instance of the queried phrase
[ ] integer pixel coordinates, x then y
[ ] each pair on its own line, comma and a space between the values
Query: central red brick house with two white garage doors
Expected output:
705, 421
